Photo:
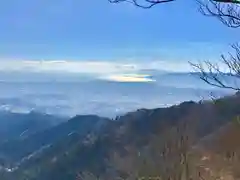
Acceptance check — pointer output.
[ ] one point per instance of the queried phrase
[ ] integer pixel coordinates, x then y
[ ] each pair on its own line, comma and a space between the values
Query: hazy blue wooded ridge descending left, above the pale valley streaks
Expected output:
13, 151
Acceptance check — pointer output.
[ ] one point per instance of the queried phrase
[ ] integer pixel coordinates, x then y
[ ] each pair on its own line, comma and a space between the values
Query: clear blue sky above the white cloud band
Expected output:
99, 31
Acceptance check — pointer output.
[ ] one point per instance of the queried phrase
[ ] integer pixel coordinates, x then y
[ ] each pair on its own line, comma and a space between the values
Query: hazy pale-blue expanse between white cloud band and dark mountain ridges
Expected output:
75, 94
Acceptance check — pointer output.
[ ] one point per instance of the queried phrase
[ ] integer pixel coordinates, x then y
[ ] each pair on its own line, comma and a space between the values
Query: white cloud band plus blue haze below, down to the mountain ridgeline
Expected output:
86, 87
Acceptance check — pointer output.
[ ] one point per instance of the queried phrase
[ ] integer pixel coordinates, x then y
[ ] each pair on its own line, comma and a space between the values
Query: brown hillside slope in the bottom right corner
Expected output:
218, 154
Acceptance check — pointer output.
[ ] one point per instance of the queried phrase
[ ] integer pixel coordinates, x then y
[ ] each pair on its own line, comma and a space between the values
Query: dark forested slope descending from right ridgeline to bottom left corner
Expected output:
115, 149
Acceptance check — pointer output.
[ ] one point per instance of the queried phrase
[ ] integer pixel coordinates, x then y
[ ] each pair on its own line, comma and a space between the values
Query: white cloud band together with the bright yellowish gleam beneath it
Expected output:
124, 70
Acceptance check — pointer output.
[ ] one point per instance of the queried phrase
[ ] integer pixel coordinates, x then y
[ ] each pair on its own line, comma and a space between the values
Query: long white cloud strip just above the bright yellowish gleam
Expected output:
92, 67
